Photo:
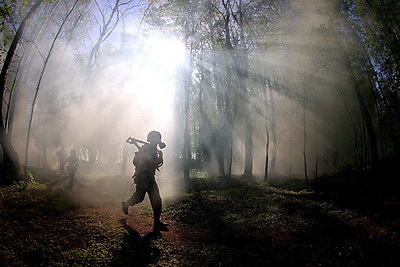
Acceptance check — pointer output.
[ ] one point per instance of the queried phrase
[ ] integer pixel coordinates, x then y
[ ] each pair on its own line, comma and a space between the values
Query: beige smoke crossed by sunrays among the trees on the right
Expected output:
307, 96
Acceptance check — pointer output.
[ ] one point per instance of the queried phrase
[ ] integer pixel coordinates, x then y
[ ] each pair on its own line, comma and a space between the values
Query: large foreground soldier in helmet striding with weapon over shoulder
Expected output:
147, 160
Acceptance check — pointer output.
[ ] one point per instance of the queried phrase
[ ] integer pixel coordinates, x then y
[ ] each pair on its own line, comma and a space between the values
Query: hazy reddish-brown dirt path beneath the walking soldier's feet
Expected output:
105, 195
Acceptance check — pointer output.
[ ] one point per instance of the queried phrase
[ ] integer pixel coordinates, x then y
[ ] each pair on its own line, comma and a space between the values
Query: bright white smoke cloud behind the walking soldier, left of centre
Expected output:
129, 93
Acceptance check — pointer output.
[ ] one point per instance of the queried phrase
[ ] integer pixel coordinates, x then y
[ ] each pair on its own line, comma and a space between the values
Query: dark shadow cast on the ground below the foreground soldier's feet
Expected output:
135, 249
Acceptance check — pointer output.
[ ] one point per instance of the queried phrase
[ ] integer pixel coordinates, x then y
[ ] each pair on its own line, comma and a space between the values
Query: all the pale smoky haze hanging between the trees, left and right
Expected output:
136, 87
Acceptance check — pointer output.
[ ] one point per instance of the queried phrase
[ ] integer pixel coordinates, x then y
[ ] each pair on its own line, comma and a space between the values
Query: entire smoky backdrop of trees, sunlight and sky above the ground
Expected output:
236, 87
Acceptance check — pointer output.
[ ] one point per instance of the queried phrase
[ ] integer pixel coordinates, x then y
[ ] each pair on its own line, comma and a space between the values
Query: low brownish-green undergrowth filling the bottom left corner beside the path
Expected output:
41, 226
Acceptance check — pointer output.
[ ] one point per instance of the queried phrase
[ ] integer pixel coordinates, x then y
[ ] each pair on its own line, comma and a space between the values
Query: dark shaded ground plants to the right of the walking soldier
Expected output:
281, 224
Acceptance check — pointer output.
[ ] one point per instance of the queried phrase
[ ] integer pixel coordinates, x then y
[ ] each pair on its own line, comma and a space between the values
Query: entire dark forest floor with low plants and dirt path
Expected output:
352, 219
